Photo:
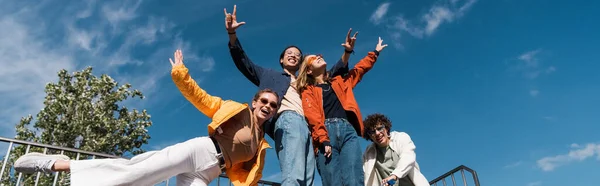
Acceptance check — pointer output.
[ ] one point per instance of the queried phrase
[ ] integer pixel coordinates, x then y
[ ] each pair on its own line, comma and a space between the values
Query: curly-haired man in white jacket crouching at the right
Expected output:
390, 156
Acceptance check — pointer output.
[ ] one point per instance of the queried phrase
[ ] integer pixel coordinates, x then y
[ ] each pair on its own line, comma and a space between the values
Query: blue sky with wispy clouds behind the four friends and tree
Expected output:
505, 87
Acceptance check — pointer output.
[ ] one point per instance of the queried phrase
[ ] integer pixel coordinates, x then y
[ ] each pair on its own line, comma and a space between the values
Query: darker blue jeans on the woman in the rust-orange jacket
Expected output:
344, 166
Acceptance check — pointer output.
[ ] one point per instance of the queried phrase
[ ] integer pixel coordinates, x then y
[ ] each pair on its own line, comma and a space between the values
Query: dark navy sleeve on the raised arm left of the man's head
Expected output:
252, 71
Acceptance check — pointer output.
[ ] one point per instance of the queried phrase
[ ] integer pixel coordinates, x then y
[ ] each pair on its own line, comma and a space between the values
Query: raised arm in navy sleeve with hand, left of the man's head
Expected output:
250, 70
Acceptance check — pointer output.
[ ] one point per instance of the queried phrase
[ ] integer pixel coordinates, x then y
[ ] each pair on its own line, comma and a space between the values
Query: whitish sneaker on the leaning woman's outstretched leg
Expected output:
37, 162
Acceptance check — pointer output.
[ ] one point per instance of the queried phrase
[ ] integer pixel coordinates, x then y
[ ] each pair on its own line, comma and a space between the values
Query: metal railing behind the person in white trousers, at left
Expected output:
79, 153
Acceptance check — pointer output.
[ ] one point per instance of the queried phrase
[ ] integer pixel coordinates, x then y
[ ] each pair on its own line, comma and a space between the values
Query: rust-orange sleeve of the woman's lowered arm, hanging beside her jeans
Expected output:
312, 113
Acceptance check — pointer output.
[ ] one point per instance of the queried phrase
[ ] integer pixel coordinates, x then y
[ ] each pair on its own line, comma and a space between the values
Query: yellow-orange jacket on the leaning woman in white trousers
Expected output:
220, 111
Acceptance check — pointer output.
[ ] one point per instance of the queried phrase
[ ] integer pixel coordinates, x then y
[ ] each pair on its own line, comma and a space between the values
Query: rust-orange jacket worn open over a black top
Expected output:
312, 101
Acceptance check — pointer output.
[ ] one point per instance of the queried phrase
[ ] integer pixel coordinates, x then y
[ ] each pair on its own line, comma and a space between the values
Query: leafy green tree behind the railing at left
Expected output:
82, 111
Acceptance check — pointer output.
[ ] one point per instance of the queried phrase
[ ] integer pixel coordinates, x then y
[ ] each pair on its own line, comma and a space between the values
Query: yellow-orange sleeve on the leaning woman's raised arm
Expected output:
203, 101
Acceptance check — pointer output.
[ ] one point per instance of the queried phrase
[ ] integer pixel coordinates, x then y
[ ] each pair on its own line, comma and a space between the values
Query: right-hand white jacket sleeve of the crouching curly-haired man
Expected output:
407, 155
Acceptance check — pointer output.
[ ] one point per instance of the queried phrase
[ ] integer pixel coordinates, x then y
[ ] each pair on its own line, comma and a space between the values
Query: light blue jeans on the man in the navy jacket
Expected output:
293, 145
